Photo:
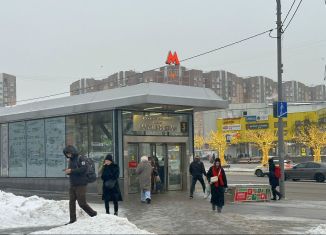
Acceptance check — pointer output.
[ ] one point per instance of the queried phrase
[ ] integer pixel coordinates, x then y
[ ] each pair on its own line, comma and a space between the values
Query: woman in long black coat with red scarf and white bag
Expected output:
217, 178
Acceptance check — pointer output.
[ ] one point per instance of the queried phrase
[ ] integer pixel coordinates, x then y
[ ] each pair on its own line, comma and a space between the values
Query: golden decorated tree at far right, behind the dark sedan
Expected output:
313, 137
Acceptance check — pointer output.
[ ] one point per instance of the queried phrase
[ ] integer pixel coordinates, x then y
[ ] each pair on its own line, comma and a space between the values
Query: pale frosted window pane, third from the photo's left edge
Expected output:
35, 148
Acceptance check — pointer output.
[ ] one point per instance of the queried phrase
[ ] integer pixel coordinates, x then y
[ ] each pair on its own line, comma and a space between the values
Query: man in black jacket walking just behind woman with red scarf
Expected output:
197, 169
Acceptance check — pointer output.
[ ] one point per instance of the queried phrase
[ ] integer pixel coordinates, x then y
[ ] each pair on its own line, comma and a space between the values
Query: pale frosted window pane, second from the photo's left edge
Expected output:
17, 150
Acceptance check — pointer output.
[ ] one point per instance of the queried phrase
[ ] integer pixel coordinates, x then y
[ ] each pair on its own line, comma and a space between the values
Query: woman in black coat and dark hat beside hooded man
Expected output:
111, 190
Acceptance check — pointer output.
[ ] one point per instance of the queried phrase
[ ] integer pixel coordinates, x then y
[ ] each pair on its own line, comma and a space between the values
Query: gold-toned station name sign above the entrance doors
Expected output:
158, 124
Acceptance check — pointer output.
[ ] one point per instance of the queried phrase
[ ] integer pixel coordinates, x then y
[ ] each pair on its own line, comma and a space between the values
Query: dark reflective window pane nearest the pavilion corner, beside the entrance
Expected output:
100, 136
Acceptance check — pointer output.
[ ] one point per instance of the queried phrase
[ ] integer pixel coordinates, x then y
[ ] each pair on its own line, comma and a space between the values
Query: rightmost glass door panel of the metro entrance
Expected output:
174, 167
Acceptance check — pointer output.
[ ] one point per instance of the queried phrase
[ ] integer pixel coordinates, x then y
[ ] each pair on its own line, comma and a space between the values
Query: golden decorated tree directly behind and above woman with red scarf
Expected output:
217, 141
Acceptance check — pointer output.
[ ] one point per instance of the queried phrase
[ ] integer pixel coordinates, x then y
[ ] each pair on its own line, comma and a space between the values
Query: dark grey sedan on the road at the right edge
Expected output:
307, 171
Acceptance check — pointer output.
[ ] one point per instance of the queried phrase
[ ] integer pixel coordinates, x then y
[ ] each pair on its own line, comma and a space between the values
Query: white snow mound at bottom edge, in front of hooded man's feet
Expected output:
101, 224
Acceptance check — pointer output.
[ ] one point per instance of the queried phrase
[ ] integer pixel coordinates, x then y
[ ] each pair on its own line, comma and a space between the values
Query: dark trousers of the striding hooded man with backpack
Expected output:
78, 193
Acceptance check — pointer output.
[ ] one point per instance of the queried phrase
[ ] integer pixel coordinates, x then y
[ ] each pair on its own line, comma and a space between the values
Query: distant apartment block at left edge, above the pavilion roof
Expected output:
7, 89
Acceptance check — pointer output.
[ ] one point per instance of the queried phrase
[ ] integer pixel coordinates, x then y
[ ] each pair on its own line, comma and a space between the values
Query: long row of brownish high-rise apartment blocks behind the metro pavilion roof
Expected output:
229, 86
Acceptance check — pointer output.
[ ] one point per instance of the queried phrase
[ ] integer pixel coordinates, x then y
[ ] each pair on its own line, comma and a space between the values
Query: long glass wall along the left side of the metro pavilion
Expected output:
34, 147
